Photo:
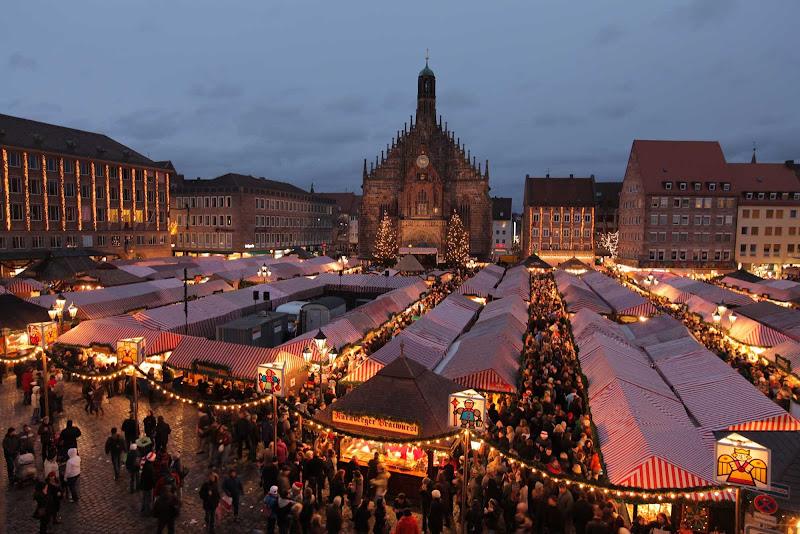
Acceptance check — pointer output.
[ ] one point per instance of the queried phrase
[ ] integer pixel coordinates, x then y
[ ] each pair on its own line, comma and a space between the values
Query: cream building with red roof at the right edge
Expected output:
768, 224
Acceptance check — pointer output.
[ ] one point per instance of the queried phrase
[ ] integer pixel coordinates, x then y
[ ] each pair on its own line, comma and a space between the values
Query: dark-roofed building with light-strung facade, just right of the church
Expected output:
559, 219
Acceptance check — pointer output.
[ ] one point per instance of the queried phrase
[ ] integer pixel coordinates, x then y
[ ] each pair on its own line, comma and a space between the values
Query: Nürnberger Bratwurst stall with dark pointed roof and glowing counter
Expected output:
401, 414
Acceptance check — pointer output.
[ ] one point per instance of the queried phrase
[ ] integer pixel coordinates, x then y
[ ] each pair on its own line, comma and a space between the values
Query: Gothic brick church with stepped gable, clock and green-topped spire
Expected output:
422, 178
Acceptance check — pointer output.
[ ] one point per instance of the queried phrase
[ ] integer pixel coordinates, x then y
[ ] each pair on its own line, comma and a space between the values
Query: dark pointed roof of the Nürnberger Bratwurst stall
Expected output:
402, 391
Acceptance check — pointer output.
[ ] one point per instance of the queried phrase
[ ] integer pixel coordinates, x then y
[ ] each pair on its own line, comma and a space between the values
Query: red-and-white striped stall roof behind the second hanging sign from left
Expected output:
103, 333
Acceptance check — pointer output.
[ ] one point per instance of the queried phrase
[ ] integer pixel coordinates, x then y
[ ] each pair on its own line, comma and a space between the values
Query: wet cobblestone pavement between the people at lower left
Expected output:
105, 504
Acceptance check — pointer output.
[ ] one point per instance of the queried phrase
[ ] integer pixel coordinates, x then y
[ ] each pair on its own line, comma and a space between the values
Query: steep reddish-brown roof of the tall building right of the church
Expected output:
680, 161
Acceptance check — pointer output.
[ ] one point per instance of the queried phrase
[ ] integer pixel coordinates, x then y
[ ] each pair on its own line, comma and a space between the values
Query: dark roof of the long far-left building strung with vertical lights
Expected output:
32, 135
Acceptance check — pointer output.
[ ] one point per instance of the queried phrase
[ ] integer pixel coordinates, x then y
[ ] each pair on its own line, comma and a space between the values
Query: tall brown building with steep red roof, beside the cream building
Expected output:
677, 207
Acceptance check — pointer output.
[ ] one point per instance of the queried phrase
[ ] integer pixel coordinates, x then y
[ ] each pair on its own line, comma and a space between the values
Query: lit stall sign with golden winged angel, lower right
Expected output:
742, 462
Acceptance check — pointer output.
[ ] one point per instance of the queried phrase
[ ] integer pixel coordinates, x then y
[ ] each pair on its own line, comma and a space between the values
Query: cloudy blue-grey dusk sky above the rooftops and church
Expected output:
304, 91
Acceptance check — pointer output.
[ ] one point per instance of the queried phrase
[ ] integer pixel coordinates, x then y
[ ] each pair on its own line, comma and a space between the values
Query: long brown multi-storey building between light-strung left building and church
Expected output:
235, 213
